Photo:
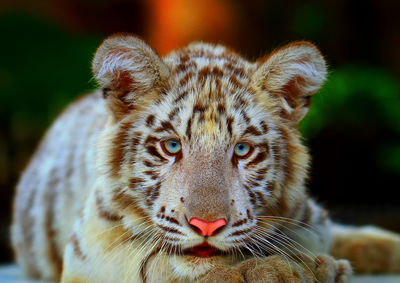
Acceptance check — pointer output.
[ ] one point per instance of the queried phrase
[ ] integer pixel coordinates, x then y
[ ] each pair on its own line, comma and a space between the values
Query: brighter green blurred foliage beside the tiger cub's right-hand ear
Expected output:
360, 98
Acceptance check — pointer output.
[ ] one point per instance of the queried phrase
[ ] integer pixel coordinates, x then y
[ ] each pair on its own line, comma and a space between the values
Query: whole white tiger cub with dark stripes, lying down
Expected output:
187, 168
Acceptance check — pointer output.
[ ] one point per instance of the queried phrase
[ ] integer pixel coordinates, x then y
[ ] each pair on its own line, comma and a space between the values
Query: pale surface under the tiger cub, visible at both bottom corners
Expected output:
12, 274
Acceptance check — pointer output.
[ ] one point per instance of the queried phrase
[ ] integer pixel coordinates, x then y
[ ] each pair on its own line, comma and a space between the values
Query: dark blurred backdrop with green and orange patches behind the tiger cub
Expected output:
353, 129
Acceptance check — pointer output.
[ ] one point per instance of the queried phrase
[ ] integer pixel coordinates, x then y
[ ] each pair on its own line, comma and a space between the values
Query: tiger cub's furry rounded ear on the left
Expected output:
126, 69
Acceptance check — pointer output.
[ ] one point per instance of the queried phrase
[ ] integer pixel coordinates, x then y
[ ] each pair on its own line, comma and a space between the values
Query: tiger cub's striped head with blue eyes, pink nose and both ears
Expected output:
202, 144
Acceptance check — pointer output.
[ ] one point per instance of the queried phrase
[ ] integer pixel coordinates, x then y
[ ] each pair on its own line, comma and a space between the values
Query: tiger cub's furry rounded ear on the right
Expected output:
292, 75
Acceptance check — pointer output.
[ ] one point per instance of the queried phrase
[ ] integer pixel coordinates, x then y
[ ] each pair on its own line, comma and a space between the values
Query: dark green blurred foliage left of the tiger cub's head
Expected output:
42, 68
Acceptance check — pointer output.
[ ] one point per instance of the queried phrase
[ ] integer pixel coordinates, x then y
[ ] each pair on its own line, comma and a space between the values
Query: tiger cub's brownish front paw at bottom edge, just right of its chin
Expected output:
278, 268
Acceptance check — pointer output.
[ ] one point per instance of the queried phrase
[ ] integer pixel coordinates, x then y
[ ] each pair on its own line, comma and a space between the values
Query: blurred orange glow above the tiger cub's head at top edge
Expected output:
173, 23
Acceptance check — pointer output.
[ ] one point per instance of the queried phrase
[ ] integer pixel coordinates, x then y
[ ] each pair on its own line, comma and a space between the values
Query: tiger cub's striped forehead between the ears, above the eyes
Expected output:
208, 98
